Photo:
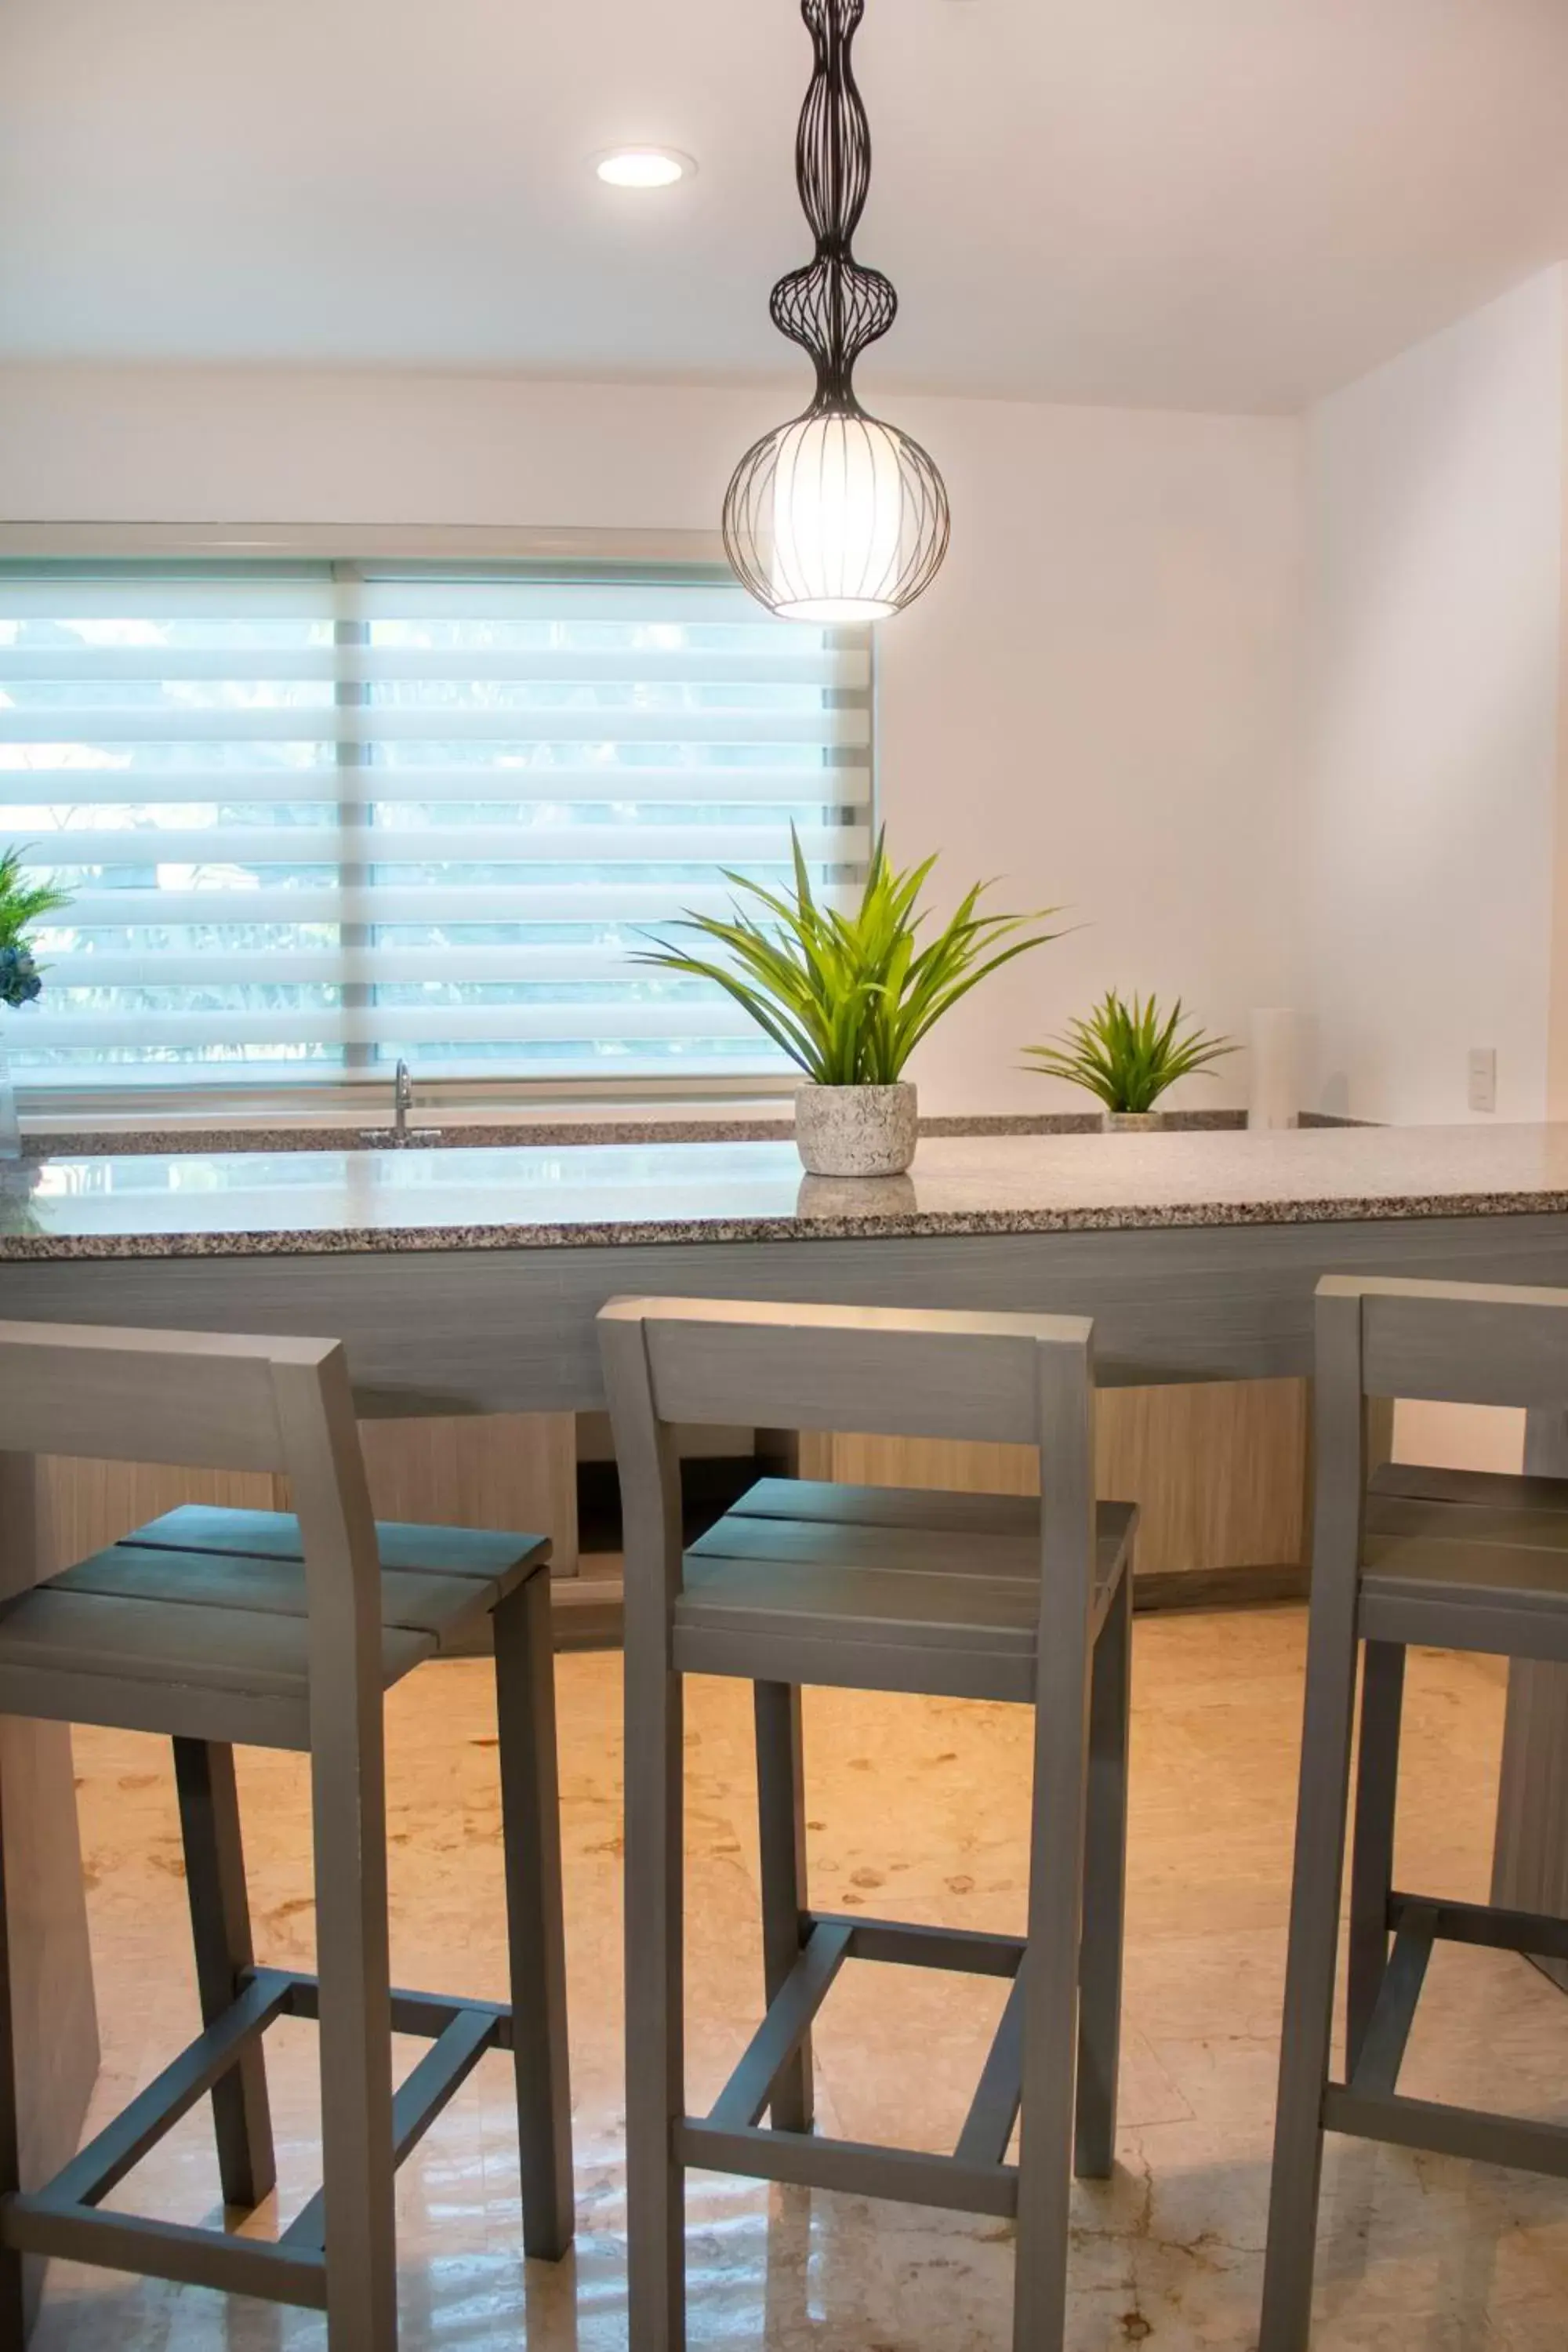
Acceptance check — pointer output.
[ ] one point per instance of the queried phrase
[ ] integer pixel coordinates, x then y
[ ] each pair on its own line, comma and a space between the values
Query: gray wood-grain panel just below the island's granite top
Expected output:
481, 1332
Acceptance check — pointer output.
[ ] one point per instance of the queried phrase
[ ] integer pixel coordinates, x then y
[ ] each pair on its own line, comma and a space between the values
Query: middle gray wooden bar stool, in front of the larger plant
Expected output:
880, 1591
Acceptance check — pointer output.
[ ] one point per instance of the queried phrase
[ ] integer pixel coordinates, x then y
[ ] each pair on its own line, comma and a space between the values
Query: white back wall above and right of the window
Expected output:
1094, 702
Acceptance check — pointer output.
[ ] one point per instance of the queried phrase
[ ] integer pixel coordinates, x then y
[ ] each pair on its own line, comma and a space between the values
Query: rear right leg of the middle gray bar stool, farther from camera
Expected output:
1104, 1890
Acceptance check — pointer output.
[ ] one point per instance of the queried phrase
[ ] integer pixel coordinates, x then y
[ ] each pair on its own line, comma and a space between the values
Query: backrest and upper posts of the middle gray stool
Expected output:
902, 1372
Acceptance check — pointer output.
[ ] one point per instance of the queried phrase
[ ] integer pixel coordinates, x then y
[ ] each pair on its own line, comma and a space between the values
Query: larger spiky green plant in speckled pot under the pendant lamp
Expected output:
850, 996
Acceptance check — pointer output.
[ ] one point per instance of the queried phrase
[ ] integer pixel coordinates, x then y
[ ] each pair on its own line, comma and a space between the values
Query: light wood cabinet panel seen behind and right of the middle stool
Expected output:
1217, 1469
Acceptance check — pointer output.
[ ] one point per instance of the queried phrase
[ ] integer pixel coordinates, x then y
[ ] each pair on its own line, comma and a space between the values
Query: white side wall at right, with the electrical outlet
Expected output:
1435, 563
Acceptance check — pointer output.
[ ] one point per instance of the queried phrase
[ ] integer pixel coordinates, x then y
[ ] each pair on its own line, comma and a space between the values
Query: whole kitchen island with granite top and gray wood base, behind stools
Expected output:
469, 1283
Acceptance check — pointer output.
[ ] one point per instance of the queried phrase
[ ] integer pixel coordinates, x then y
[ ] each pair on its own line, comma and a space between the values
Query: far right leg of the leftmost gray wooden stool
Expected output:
532, 1843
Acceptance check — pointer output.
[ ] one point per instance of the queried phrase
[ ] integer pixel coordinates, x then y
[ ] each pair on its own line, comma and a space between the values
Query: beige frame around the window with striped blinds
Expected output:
594, 554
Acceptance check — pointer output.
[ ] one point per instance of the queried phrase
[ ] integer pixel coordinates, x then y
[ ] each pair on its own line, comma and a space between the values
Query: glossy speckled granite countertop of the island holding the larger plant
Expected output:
577, 1196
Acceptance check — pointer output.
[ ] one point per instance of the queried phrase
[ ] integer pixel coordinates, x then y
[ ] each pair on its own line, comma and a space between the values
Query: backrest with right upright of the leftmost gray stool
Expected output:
215, 1403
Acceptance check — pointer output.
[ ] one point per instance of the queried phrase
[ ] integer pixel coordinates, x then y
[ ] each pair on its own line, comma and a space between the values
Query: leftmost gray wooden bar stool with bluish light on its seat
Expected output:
281, 1631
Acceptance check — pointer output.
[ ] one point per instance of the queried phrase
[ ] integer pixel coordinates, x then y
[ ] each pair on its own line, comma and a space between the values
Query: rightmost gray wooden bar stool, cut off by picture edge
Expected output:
1459, 1561
